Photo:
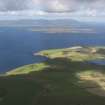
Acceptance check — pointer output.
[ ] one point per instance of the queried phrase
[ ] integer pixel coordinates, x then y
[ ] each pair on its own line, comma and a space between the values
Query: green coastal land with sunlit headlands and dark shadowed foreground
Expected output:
66, 78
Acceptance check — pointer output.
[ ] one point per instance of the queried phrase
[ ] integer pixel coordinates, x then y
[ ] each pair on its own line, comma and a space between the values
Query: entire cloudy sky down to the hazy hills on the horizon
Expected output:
80, 9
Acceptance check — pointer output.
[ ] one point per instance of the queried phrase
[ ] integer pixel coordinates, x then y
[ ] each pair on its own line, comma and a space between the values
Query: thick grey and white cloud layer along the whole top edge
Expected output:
54, 6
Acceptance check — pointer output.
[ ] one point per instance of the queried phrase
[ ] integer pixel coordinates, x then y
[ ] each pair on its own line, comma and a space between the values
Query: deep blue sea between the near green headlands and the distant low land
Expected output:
17, 45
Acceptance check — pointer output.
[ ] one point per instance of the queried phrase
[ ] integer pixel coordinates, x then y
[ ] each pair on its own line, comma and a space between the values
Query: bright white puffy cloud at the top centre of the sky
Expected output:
59, 6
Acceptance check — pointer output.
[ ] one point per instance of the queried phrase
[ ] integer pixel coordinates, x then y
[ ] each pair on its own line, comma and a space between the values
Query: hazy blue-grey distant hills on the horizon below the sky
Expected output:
40, 22
